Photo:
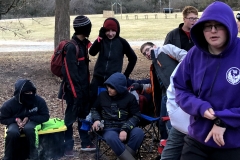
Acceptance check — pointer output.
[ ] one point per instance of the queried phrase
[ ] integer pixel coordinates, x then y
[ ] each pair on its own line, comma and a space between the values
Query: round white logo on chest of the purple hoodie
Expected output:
233, 75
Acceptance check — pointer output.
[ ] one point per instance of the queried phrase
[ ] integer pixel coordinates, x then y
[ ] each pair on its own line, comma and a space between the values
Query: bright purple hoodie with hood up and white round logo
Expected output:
206, 81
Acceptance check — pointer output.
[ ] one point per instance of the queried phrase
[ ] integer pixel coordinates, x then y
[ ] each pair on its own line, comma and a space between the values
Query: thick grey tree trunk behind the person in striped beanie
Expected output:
62, 21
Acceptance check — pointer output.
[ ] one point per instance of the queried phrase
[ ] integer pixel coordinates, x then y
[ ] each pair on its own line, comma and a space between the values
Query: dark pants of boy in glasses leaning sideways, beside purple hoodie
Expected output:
164, 125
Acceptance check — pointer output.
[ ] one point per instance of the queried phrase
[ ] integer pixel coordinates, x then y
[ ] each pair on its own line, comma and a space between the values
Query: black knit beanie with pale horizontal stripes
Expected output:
82, 25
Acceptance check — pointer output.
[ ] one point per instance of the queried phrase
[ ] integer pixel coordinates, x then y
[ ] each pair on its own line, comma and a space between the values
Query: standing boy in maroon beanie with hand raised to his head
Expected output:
111, 48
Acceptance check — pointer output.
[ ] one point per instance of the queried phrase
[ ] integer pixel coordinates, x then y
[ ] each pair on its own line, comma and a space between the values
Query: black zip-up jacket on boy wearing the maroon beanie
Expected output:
111, 54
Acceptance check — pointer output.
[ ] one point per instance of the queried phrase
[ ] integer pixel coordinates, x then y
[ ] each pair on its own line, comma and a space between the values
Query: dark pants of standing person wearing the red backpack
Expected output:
71, 115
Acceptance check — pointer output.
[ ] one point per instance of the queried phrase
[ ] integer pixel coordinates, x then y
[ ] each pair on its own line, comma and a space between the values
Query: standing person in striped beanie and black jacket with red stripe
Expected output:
75, 84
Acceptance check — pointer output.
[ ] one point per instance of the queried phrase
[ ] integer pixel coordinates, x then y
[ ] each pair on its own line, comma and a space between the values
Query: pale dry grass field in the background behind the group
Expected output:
42, 29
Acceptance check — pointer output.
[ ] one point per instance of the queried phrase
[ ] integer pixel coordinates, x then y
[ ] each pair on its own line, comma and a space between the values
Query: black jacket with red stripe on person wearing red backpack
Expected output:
76, 70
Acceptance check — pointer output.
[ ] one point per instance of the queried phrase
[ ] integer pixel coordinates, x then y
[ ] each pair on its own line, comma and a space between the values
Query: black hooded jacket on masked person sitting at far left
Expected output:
13, 108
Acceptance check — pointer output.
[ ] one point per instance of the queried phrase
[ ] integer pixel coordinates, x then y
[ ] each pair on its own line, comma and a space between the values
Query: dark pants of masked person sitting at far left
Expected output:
12, 140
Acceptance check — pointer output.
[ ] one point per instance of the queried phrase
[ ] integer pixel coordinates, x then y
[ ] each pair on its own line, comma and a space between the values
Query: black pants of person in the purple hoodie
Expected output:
194, 150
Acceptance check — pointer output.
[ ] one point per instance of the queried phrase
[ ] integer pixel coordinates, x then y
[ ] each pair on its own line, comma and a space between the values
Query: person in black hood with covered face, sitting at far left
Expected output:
22, 113
